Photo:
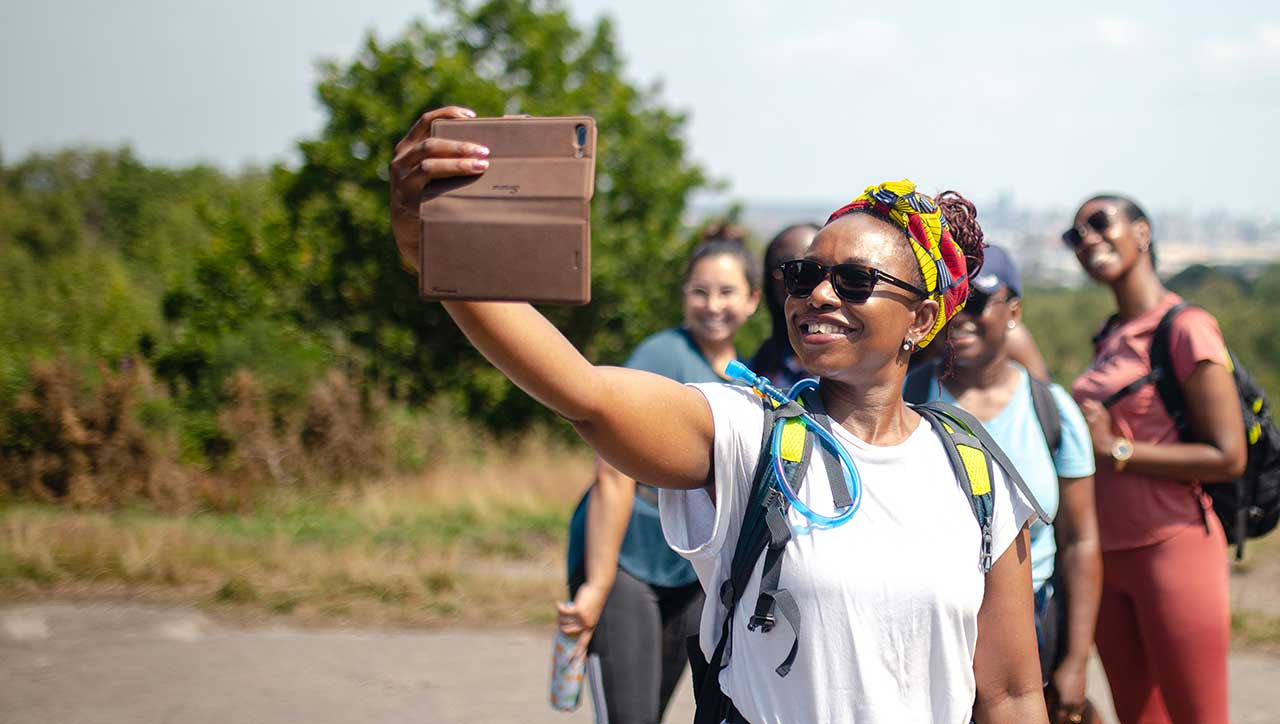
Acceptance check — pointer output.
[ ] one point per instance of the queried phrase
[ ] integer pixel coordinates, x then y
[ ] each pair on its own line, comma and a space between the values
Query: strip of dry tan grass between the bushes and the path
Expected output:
477, 540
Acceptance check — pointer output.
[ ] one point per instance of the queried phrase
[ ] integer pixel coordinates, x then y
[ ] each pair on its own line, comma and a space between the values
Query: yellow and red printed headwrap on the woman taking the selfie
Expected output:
941, 260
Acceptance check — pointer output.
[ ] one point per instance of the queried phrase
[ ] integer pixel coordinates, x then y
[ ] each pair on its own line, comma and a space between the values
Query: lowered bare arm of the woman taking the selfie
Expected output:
1005, 663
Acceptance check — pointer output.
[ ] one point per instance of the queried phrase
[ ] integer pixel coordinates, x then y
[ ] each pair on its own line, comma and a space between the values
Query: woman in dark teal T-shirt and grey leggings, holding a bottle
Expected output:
636, 601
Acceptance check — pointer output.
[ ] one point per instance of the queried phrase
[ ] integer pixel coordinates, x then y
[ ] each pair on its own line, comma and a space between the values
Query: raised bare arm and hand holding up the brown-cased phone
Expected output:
646, 425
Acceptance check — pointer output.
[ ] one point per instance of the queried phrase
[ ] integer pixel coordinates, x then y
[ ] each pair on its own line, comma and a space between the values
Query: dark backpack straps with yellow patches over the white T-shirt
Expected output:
766, 530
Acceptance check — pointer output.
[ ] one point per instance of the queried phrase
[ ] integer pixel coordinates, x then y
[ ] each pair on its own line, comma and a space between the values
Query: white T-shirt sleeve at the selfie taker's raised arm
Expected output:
694, 526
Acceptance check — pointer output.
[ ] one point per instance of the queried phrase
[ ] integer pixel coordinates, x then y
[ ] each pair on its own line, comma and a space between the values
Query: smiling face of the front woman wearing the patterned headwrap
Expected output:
860, 342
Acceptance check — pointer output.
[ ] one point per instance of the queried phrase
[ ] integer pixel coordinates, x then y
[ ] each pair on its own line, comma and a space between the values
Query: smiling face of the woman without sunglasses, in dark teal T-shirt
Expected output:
719, 299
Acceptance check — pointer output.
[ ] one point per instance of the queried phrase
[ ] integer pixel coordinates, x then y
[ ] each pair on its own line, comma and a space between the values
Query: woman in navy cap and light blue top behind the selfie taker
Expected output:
1043, 430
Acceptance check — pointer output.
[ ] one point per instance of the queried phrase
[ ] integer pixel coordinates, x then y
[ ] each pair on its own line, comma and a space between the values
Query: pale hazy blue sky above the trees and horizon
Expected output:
1174, 103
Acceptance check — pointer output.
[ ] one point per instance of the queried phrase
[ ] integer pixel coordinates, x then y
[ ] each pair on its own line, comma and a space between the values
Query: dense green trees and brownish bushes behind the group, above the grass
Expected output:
260, 326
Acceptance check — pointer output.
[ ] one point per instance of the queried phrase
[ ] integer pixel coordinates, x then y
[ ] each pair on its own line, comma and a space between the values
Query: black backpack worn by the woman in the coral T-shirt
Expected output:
1250, 506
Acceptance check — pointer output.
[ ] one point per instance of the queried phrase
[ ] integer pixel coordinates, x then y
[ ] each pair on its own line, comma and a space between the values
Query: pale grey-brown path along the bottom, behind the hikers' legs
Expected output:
124, 663
